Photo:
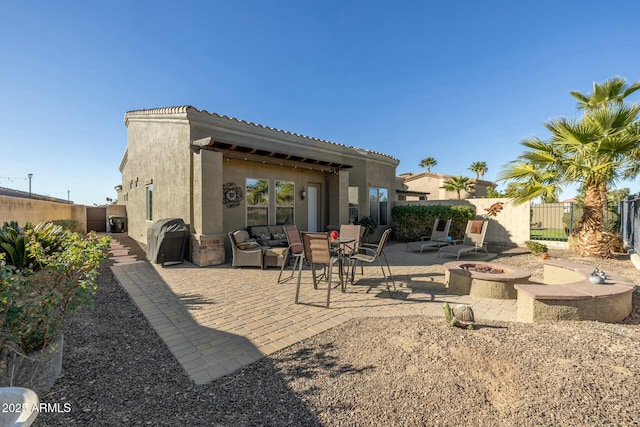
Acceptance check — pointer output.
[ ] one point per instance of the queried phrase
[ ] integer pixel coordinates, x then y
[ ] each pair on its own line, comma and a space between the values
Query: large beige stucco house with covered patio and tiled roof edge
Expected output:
221, 174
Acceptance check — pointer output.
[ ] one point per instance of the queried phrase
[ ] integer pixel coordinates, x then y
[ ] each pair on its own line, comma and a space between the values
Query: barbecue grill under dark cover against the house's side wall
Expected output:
167, 240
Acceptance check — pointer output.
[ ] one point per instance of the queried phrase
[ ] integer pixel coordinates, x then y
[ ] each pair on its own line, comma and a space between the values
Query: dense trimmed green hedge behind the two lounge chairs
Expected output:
412, 222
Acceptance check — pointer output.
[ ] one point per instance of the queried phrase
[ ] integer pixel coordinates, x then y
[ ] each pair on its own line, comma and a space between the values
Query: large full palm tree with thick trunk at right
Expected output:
594, 151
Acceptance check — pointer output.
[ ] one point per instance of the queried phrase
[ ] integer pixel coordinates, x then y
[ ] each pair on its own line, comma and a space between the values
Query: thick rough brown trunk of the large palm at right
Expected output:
591, 238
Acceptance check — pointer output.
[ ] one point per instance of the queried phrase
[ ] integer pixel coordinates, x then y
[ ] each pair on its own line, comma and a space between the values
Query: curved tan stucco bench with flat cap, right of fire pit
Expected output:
567, 294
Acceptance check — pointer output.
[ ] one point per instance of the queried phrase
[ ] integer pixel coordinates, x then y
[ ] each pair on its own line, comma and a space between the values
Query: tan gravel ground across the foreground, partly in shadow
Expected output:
392, 371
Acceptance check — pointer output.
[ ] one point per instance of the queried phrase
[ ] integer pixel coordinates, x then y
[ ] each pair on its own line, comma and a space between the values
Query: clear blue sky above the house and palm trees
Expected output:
461, 82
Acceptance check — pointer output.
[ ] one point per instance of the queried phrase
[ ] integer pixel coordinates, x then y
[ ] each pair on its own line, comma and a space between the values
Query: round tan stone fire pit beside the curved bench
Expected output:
484, 279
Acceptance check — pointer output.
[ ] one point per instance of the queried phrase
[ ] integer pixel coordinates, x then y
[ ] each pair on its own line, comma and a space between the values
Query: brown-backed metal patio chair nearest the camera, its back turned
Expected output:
317, 253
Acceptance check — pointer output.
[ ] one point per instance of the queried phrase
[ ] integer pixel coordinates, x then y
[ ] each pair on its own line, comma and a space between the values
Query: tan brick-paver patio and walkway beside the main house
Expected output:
217, 319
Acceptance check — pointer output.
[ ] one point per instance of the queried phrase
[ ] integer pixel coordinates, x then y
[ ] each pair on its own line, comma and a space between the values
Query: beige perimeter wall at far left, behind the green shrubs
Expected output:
36, 211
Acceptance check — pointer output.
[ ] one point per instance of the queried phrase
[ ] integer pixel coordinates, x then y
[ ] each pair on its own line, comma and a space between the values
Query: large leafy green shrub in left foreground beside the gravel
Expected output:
59, 277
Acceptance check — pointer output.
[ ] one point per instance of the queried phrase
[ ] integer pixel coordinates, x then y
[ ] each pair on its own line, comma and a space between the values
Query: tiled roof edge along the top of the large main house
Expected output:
192, 113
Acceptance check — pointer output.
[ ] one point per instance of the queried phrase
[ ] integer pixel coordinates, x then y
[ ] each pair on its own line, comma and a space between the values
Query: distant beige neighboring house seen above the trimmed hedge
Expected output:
430, 183
